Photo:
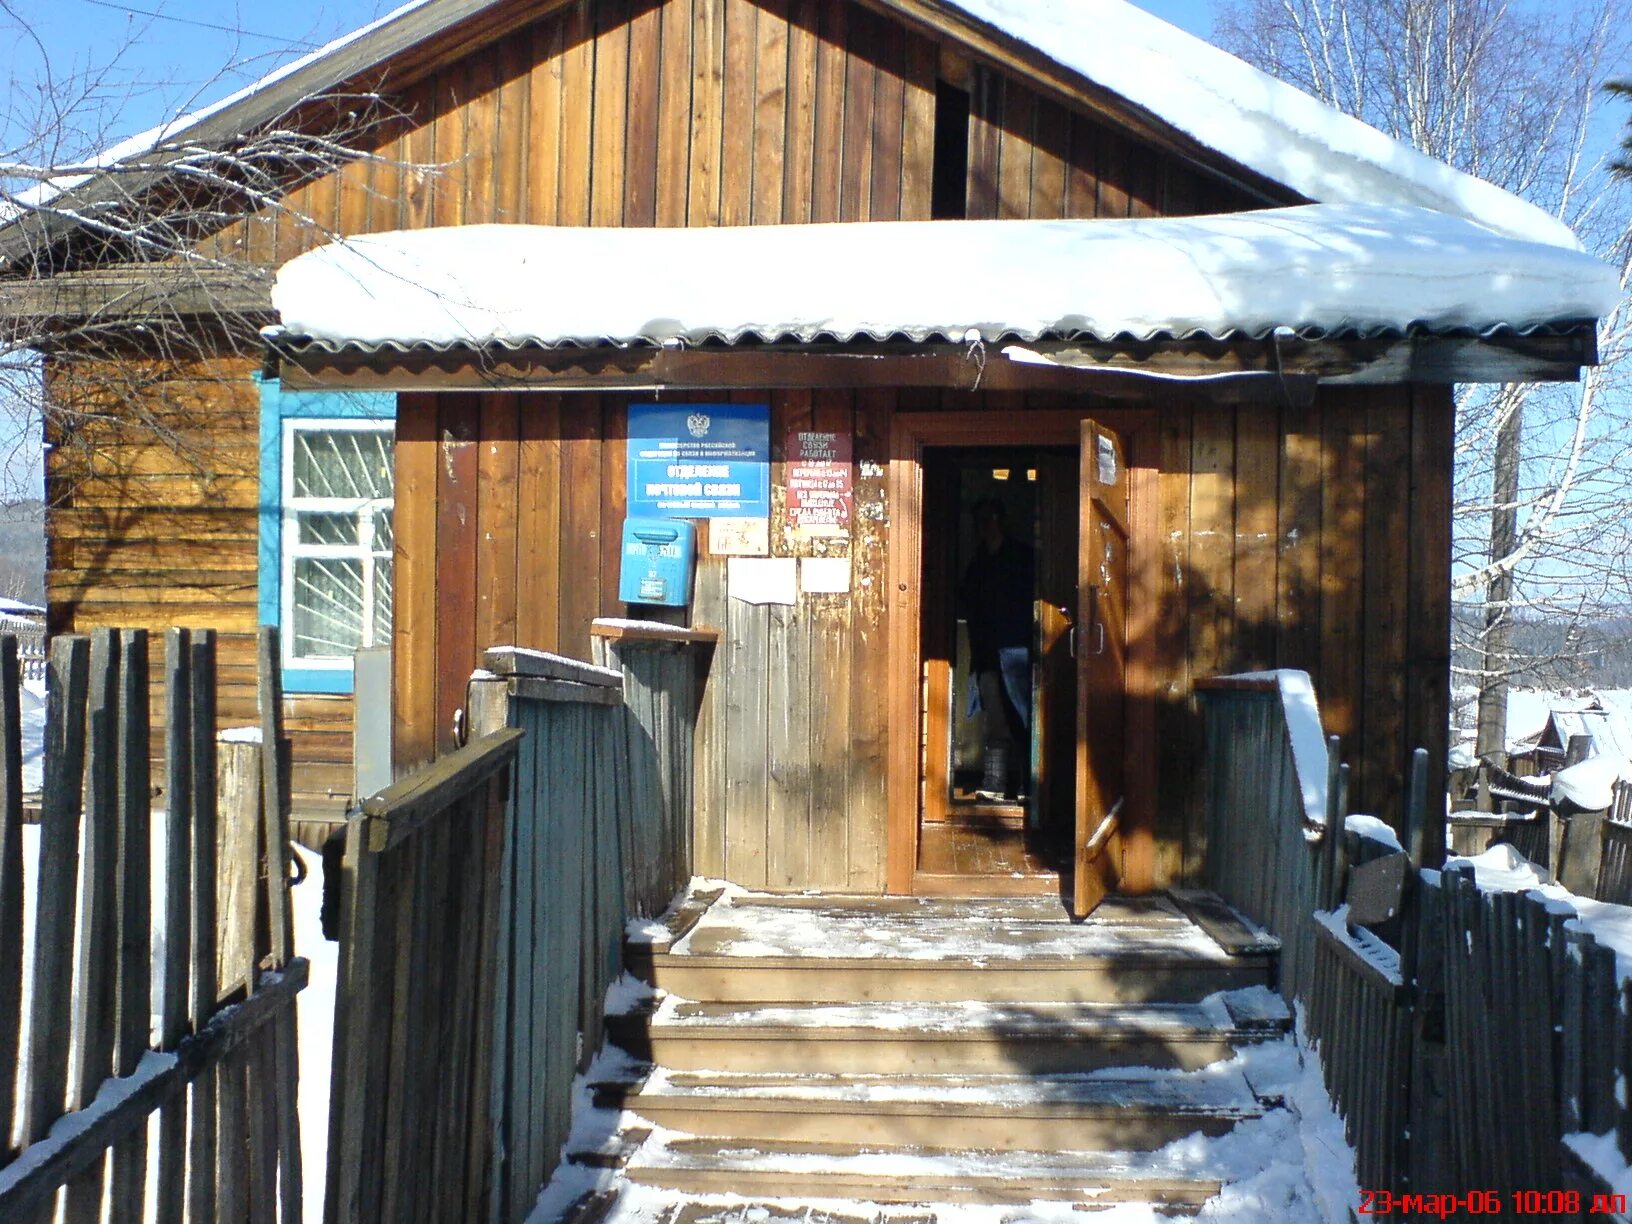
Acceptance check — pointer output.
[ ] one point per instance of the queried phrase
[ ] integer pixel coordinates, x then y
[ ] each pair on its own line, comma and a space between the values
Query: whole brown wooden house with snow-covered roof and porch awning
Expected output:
1197, 332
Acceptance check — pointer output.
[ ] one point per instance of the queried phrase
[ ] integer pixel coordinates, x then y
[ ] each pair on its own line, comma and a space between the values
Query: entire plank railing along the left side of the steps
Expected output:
495, 928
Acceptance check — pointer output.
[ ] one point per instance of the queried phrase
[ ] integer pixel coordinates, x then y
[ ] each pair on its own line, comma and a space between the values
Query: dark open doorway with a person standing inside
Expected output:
1000, 688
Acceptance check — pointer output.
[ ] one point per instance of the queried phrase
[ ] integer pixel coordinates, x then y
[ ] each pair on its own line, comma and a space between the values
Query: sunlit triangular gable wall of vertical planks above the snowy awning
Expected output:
719, 113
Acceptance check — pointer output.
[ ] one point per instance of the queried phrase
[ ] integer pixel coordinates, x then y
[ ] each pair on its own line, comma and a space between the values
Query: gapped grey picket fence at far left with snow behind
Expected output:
79, 1081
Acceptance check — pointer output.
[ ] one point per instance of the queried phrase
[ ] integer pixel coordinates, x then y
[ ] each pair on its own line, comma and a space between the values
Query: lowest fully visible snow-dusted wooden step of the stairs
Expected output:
911, 1176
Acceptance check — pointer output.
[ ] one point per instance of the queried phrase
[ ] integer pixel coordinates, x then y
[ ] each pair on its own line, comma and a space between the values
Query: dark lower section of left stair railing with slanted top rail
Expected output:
414, 1060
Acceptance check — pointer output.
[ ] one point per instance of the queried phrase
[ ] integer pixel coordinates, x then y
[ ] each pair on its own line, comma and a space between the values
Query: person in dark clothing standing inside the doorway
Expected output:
995, 598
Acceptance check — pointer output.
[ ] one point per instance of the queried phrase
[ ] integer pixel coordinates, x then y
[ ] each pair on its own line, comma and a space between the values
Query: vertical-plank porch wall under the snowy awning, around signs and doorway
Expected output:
1288, 539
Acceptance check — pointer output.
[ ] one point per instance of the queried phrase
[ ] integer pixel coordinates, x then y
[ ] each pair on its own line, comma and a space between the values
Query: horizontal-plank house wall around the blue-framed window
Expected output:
153, 479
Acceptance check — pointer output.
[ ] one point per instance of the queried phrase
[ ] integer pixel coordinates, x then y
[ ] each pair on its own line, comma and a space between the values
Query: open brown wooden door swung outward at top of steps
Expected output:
1102, 655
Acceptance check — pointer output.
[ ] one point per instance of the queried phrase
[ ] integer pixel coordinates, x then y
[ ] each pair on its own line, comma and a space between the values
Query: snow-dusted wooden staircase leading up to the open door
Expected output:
907, 1052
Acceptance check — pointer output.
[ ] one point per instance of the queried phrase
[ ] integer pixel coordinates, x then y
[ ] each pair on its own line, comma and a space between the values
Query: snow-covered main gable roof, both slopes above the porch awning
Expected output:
1179, 82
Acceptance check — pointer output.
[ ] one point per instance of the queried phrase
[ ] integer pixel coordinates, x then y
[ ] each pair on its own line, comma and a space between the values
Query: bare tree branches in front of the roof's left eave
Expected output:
113, 301
